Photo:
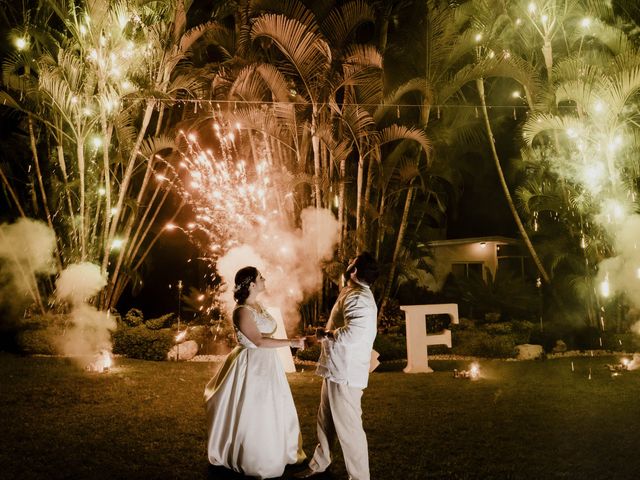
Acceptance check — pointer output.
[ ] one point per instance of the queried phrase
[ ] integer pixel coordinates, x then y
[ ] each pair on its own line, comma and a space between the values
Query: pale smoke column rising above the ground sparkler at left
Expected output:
90, 329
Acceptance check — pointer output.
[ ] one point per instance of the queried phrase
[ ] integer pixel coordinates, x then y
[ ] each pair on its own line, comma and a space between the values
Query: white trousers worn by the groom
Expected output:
340, 414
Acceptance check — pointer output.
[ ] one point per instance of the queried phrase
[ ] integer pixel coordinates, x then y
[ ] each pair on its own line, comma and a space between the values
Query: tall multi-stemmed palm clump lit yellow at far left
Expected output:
91, 92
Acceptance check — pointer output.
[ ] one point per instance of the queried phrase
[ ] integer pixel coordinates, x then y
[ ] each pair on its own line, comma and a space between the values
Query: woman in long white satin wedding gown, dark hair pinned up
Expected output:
252, 421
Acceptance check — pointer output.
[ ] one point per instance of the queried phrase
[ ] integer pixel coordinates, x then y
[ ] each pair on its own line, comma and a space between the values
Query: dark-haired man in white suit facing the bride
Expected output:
347, 342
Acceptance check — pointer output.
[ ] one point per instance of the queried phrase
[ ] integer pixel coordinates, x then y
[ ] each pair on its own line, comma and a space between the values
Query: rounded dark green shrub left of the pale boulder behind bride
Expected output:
143, 343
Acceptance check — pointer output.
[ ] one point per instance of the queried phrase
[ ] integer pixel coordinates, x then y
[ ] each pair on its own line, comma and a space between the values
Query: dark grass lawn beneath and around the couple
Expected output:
529, 420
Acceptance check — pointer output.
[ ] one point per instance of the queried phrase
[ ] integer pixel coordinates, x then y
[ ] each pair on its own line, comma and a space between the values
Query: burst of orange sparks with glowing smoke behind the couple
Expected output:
243, 215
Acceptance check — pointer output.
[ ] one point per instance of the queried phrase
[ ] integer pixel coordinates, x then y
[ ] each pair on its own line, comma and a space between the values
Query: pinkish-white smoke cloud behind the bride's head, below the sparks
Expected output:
290, 260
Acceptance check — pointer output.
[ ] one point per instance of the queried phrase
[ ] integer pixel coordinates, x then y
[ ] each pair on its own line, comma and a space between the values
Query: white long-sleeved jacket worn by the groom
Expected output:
354, 317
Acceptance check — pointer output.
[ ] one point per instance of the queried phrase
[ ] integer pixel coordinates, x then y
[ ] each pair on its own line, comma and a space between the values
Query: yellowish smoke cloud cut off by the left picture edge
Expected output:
26, 251
